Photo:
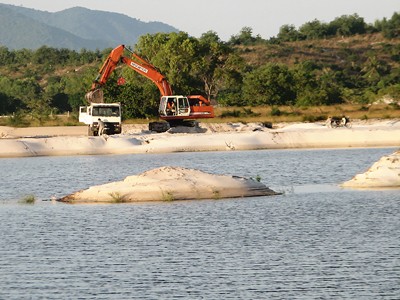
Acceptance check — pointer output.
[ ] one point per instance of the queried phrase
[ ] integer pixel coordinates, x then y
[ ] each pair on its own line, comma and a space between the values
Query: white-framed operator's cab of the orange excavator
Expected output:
174, 107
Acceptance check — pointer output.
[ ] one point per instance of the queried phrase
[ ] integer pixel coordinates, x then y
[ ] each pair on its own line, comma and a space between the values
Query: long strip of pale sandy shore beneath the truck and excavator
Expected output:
47, 141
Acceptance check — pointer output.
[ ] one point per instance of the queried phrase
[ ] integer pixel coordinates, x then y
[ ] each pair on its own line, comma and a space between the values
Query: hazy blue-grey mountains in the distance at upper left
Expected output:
73, 28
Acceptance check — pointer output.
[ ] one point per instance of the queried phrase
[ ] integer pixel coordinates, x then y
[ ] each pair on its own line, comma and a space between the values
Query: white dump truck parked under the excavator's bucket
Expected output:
108, 113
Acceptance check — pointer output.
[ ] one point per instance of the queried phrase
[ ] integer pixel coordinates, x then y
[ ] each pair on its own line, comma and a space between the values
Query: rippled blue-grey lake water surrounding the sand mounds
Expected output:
316, 241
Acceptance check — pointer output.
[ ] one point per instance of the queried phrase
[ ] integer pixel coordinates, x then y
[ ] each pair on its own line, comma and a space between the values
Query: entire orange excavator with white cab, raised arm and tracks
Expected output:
174, 109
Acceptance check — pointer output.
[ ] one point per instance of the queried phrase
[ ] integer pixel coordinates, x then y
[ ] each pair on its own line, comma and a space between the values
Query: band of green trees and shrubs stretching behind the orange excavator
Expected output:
49, 80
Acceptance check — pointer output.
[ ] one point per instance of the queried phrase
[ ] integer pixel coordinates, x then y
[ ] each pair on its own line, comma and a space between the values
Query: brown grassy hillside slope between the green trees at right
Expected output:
335, 51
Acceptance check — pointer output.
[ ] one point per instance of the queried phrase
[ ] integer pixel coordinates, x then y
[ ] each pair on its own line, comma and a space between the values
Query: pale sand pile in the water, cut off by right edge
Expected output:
385, 173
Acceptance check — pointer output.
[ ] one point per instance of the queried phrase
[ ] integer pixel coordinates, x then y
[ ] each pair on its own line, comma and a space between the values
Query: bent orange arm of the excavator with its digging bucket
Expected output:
136, 63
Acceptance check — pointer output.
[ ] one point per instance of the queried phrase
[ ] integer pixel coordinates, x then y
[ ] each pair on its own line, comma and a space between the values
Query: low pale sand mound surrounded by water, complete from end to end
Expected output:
168, 184
